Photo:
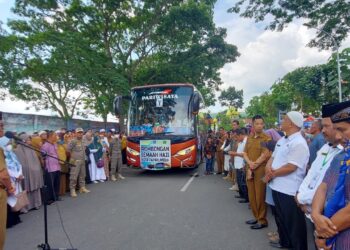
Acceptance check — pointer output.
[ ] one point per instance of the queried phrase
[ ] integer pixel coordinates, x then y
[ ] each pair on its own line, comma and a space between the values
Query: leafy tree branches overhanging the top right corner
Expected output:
330, 16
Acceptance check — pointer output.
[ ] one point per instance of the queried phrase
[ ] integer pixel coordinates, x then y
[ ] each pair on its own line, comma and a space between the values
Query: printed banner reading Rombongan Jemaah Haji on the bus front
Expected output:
155, 154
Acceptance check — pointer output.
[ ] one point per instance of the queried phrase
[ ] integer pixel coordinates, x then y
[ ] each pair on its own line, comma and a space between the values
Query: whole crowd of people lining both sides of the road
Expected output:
301, 174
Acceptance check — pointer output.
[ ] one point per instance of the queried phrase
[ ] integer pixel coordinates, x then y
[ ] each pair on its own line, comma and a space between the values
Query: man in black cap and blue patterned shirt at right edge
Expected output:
338, 224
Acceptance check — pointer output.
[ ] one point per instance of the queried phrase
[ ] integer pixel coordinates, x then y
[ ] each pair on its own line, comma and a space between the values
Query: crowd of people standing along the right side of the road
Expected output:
301, 174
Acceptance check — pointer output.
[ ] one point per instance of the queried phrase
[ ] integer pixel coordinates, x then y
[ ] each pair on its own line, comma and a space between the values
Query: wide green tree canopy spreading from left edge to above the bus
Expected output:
75, 53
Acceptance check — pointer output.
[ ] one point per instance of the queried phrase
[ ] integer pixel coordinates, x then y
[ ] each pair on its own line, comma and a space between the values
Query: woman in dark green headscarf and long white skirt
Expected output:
96, 166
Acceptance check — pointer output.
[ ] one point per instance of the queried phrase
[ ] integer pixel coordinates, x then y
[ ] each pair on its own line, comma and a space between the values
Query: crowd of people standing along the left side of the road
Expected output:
62, 161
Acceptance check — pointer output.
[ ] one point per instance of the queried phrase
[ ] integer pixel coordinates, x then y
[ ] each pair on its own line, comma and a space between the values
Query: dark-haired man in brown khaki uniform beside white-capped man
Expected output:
256, 157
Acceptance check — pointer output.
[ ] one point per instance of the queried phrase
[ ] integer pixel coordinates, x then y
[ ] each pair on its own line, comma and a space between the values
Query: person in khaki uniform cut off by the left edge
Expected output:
5, 185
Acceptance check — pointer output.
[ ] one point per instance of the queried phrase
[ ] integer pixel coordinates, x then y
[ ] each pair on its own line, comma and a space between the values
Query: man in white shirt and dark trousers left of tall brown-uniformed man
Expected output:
239, 164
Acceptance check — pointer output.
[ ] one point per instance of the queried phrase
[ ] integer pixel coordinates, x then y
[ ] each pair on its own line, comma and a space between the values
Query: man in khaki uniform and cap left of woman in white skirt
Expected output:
77, 151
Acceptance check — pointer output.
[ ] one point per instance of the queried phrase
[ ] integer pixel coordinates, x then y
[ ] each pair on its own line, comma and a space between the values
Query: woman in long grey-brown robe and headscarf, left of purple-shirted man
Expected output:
32, 172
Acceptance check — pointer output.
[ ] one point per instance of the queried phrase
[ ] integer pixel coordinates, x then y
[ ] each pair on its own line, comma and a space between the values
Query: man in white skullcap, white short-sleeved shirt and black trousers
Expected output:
285, 172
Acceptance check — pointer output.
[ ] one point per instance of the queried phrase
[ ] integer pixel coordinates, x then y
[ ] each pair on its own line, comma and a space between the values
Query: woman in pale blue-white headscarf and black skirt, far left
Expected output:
15, 171
